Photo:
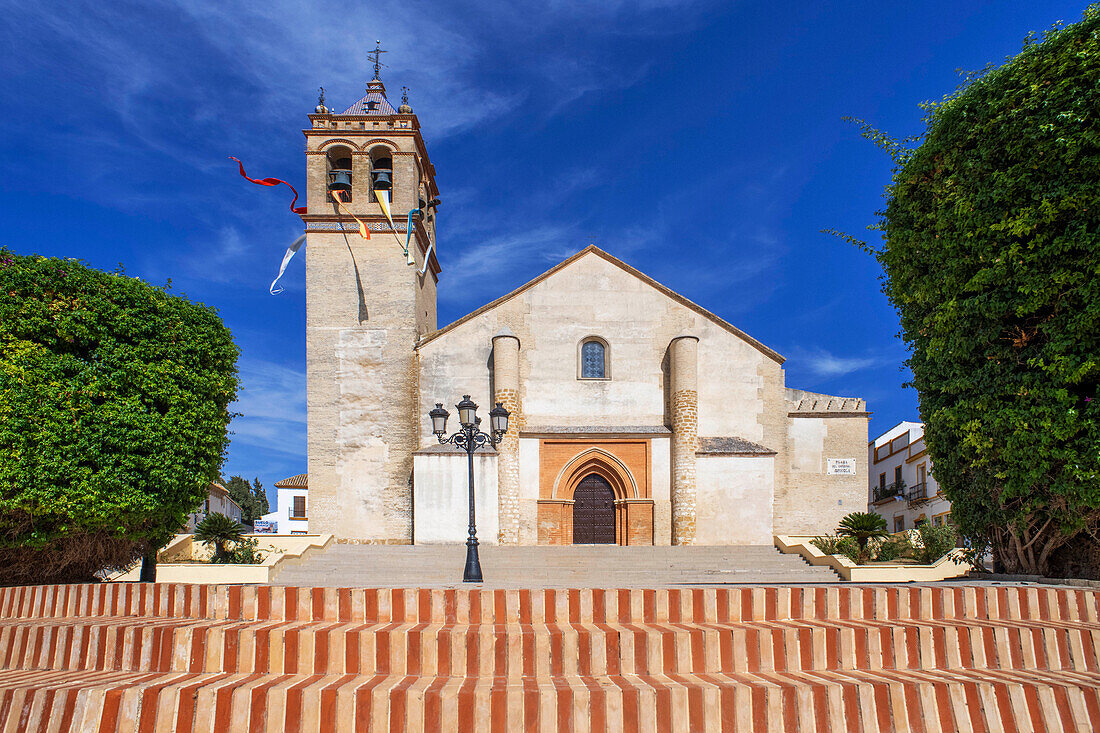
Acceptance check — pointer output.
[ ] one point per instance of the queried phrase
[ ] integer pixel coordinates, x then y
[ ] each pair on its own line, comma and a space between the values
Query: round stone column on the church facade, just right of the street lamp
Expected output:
507, 391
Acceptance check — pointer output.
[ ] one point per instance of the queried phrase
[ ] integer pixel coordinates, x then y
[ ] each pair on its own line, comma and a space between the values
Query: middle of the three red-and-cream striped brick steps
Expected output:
520, 649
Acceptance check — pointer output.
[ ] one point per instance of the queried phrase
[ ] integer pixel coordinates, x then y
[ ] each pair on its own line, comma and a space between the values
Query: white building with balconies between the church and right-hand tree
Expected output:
901, 487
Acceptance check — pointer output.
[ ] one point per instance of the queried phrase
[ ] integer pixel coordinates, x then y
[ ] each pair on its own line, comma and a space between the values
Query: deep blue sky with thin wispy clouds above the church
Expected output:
701, 143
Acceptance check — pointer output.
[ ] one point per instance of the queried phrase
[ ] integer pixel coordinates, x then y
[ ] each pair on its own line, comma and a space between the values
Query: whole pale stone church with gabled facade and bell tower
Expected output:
637, 417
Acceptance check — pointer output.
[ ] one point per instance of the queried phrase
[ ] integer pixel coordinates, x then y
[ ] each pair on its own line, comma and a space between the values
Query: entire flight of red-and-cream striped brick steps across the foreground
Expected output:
150, 658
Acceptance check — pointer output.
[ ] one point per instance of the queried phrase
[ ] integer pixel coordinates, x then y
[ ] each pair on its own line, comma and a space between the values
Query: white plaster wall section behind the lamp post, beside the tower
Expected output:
442, 499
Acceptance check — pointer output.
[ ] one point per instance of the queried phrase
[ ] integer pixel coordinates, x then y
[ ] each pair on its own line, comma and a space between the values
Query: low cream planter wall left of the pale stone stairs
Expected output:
186, 561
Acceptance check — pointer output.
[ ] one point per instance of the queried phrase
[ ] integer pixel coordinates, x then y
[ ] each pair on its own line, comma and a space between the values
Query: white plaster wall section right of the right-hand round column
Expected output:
734, 500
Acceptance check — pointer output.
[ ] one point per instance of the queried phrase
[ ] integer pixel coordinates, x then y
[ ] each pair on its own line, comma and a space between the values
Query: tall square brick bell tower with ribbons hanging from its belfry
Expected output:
368, 303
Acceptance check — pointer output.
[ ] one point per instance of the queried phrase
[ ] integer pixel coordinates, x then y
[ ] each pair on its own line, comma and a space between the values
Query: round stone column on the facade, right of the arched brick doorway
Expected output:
684, 360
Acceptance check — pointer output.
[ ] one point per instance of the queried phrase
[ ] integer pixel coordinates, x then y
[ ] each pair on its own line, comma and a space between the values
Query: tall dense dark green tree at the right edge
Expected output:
993, 259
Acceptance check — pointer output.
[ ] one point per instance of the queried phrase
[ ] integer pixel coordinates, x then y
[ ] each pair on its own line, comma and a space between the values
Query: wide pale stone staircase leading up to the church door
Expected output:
576, 566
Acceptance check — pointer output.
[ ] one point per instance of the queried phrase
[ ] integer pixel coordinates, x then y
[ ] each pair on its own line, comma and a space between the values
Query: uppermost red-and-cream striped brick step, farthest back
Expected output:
969, 603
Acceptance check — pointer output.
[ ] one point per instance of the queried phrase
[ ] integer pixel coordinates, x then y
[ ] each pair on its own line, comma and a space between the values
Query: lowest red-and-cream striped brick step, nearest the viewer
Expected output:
853, 702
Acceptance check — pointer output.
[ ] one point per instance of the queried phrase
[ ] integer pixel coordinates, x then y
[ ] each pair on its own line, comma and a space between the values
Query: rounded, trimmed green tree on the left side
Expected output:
114, 412
